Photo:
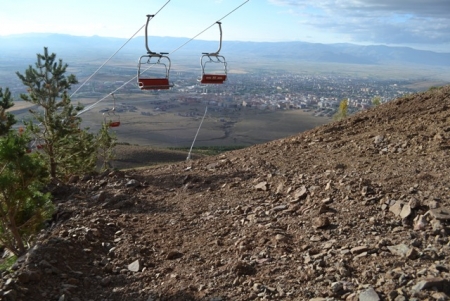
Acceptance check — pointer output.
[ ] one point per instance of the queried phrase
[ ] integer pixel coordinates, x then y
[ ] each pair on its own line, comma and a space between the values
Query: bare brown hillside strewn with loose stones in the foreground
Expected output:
353, 210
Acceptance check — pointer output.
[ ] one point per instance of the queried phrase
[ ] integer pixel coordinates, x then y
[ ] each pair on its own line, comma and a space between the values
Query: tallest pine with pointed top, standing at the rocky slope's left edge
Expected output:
67, 148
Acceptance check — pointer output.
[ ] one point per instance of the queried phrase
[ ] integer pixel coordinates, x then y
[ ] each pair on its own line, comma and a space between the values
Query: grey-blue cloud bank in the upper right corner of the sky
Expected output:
377, 21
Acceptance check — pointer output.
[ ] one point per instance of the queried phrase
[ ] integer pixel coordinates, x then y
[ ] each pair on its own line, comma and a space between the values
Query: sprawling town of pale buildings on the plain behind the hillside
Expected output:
319, 94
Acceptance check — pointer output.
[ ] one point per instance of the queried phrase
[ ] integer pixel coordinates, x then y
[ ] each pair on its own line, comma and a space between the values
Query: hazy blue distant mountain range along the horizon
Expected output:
66, 46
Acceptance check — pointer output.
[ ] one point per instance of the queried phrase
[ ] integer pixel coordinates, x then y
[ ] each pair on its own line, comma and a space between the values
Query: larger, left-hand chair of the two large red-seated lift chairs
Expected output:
159, 61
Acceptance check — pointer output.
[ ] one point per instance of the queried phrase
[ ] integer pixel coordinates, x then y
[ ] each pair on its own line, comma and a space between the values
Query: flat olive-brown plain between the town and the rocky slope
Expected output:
177, 126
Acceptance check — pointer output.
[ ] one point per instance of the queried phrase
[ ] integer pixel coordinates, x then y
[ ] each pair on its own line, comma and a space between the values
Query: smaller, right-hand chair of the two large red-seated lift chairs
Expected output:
208, 75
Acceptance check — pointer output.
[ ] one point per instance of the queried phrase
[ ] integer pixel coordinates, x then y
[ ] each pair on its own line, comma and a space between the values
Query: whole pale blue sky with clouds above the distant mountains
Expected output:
421, 24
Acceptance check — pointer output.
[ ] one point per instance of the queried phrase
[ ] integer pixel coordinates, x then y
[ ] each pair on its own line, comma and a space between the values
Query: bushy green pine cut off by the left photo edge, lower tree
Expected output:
23, 206
